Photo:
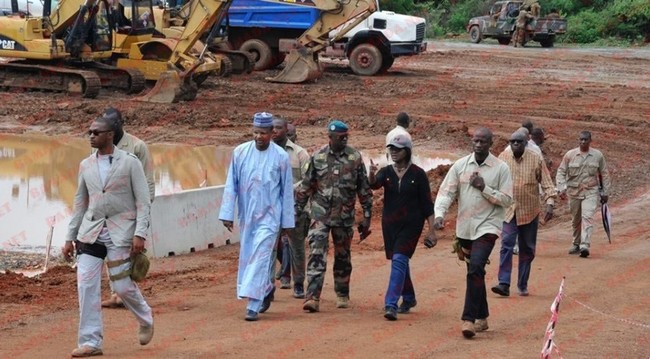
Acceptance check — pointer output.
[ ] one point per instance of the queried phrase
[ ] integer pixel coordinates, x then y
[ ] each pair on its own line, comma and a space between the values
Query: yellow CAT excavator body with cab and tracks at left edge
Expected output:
62, 50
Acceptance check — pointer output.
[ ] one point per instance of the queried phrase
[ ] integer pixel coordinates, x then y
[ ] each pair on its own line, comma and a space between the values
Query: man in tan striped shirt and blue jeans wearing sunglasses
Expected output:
528, 171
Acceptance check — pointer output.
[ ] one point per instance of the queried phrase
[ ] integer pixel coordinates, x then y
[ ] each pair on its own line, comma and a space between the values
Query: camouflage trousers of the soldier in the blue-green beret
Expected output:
317, 264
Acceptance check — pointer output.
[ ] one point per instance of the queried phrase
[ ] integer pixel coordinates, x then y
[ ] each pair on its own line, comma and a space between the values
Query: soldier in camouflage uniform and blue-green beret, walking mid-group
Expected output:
335, 175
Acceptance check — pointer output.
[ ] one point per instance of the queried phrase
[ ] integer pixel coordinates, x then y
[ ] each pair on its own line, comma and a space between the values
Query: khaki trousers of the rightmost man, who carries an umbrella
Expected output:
583, 211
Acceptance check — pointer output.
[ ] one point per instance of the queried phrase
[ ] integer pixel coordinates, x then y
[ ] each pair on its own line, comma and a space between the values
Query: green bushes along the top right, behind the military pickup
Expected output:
589, 21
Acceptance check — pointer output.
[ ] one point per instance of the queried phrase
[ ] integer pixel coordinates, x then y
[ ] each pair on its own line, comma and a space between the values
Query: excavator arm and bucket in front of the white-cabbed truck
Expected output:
302, 62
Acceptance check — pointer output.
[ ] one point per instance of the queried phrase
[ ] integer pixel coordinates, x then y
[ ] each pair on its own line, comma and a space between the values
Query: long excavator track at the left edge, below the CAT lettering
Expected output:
25, 76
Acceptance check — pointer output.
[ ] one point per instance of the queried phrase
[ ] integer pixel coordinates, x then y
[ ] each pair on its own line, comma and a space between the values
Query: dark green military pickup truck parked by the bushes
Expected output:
501, 23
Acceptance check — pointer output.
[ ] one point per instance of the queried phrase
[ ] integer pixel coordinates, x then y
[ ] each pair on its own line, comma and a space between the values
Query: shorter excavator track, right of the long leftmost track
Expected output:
128, 80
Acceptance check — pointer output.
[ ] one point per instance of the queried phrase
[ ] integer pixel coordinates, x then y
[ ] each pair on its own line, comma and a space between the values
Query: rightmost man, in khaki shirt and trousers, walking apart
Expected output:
583, 177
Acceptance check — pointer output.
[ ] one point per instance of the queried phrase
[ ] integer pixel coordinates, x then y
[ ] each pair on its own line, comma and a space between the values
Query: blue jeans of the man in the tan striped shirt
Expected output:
527, 234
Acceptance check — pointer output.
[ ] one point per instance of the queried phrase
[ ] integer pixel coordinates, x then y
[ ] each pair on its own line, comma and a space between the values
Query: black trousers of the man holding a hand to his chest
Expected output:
475, 295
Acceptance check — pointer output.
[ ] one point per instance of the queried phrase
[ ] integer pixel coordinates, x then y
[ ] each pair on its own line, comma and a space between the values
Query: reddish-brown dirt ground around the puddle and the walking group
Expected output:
449, 91
